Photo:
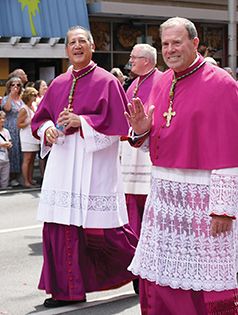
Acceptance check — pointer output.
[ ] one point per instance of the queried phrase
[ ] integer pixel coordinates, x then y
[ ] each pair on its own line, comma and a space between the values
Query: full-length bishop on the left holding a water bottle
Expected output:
87, 243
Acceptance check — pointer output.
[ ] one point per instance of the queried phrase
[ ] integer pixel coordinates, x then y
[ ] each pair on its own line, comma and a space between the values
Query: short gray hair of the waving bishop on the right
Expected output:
176, 21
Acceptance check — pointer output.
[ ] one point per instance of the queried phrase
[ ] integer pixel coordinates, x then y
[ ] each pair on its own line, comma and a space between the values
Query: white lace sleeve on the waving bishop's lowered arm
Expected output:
223, 195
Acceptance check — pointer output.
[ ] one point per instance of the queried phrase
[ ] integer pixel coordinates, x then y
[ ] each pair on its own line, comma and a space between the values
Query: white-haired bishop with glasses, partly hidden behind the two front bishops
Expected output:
136, 164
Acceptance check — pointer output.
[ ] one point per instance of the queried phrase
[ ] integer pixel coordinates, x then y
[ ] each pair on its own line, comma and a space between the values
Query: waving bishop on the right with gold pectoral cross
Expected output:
187, 255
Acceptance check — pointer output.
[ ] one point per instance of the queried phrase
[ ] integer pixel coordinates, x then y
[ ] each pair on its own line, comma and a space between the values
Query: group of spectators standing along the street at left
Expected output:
18, 148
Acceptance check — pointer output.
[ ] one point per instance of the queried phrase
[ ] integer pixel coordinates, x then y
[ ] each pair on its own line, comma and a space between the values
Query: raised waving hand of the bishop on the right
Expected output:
139, 119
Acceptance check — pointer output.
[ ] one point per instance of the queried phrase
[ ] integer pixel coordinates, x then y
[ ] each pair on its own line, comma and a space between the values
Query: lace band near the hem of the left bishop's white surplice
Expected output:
64, 199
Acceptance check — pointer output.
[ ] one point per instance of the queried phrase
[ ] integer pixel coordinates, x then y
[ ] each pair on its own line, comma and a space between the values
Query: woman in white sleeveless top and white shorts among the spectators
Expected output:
29, 145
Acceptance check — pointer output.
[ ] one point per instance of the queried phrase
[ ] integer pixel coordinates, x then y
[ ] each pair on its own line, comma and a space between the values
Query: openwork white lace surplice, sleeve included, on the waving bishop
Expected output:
175, 246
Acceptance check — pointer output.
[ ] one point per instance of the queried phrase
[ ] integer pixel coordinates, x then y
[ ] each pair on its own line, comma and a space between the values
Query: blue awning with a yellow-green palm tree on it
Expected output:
41, 18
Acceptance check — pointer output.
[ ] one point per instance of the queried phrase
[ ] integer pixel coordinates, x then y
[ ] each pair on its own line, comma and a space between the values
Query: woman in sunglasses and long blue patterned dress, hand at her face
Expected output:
11, 104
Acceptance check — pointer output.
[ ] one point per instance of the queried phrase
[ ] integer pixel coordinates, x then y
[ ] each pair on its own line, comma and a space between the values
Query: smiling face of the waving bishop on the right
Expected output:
178, 50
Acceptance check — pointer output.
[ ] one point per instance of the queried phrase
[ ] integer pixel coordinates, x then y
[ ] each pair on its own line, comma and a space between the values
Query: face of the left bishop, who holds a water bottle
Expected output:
79, 49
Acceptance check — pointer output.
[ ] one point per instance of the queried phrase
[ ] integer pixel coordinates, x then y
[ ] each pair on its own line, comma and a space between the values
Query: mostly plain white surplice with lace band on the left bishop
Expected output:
82, 184
